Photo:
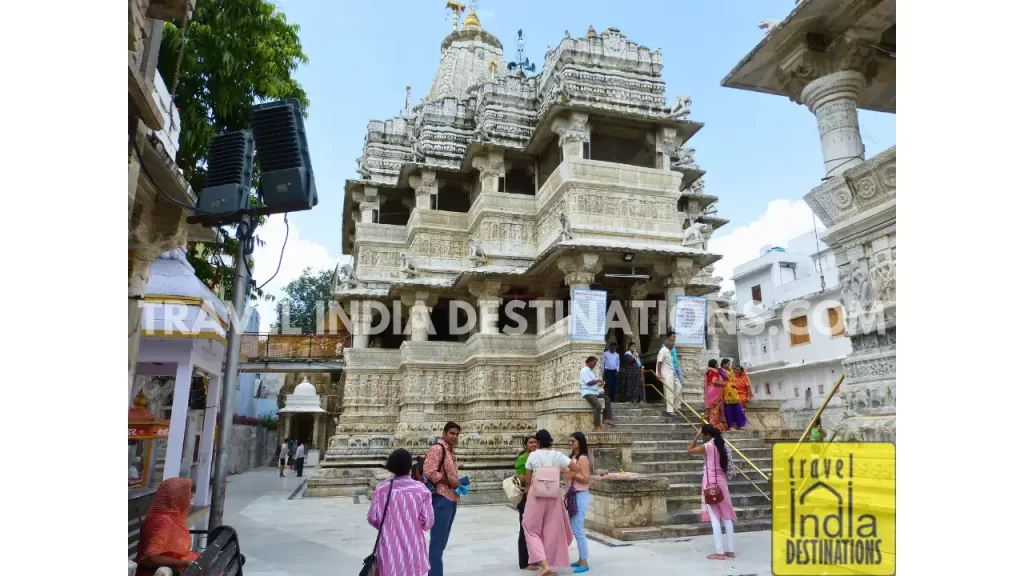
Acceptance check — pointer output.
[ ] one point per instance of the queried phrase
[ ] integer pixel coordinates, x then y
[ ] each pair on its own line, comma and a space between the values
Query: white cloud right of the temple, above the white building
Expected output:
781, 223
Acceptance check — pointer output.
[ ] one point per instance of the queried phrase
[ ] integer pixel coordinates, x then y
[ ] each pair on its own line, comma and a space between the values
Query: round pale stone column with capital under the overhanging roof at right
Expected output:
833, 99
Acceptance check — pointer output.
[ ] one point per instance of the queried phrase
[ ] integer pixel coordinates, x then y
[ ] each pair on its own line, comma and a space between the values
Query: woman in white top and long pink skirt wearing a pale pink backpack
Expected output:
546, 524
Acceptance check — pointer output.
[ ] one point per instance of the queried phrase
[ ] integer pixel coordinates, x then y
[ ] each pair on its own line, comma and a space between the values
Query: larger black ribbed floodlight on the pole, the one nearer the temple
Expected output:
286, 174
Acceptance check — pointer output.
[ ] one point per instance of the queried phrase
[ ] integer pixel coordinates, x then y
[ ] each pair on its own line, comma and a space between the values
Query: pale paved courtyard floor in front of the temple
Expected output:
284, 534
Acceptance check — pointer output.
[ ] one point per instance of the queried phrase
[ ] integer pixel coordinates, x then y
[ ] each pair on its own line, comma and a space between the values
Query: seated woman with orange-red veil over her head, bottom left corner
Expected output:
165, 540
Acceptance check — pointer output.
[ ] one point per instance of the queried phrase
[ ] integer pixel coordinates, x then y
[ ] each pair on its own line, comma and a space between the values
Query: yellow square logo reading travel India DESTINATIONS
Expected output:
834, 509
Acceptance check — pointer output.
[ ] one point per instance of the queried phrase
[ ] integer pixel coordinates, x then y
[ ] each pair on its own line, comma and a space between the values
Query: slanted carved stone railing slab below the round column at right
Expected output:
861, 189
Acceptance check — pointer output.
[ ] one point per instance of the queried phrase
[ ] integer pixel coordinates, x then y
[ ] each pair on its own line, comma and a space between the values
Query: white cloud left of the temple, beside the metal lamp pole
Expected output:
300, 255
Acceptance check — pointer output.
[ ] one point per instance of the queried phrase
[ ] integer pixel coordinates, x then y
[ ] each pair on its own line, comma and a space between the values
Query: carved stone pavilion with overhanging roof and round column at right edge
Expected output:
837, 57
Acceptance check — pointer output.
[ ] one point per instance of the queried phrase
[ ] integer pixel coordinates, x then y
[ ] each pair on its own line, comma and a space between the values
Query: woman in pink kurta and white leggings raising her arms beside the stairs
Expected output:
717, 465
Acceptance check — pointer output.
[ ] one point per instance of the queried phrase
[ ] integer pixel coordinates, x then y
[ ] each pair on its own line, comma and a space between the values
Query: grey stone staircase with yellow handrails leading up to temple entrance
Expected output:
659, 448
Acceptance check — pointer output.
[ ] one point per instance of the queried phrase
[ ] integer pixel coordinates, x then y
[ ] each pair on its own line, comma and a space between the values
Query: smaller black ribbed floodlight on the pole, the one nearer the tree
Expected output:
229, 175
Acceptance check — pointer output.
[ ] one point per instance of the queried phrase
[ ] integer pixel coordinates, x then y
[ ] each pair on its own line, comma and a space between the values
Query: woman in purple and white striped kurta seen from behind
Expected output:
403, 550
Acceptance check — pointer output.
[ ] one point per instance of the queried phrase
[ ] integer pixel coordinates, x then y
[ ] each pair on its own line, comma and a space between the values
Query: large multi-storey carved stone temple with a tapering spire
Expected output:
499, 187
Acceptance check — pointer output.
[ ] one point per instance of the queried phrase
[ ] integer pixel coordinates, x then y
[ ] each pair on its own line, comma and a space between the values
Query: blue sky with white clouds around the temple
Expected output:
761, 152
